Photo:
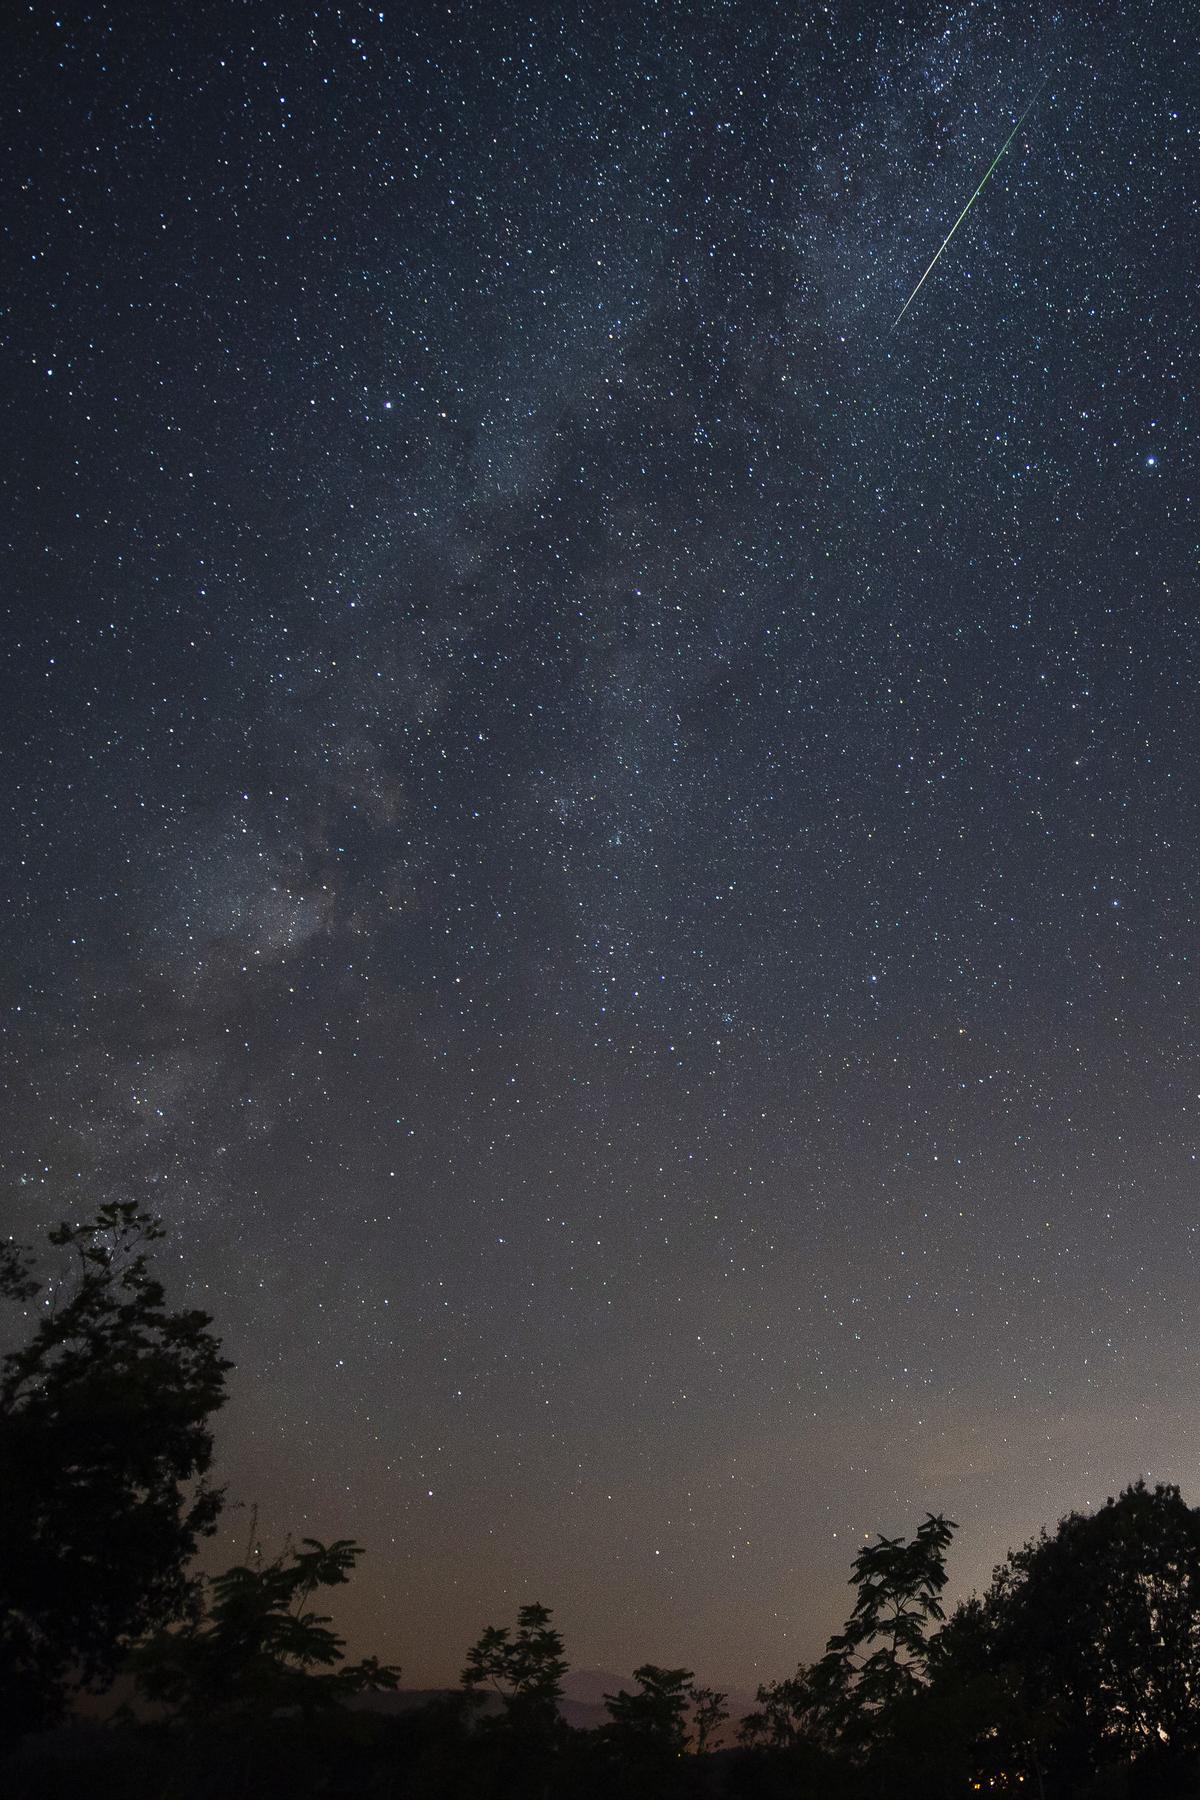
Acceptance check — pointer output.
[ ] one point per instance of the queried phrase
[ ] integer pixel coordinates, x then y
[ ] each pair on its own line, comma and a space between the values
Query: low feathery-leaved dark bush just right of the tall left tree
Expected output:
258, 1648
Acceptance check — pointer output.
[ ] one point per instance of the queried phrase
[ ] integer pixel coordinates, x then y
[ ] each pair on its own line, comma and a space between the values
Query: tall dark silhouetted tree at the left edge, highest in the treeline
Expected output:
105, 1448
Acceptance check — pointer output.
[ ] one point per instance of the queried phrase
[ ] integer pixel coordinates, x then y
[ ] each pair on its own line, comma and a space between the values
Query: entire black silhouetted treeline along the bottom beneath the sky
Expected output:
1075, 1677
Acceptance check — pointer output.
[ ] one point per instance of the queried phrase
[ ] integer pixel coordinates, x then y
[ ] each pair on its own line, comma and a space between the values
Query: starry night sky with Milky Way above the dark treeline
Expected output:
611, 840
